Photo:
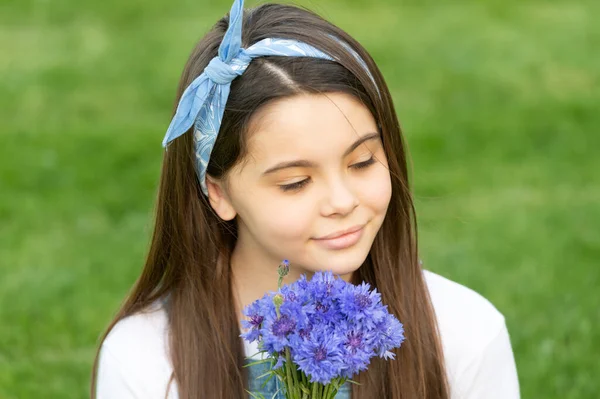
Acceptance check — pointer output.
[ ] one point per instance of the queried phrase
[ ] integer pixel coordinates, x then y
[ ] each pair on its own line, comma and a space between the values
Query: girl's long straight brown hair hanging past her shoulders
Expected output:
188, 260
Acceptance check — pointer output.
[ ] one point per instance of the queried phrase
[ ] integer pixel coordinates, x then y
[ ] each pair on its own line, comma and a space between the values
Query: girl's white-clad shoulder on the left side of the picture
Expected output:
134, 358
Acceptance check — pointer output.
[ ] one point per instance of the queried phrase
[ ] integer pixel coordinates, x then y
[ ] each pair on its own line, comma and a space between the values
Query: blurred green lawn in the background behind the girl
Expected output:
499, 101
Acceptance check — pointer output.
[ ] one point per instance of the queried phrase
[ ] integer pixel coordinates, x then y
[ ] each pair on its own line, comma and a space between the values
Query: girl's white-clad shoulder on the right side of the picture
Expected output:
475, 341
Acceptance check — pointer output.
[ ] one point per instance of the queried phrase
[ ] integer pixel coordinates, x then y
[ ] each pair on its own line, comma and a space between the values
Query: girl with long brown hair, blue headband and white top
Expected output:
294, 151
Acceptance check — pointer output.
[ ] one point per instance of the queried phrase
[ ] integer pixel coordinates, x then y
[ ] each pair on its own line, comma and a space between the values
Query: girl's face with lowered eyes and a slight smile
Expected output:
316, 167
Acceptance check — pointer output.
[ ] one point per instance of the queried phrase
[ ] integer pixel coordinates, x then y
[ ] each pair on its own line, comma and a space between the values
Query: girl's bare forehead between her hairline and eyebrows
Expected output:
308, 126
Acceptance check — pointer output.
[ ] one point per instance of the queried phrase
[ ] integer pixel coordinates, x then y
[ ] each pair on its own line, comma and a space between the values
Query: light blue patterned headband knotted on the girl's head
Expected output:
203, 102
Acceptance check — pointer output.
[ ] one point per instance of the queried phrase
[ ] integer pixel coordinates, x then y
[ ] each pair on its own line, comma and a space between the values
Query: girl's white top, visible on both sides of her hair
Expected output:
134, 361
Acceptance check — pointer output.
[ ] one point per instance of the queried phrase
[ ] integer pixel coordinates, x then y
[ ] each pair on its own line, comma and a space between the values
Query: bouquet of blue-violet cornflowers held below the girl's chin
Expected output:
318, 334
